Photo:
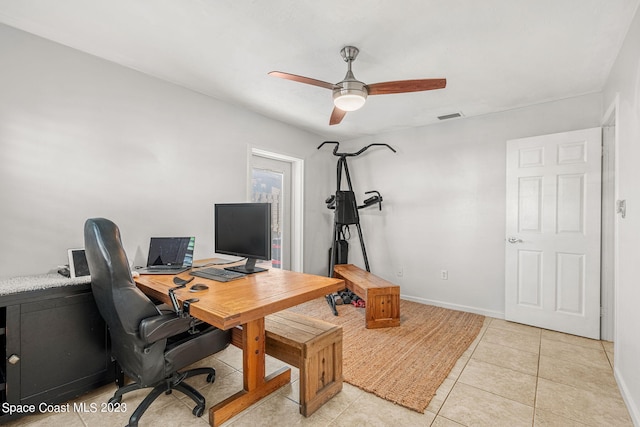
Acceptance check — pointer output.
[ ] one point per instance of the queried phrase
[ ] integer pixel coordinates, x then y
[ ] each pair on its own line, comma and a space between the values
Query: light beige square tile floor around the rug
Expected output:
511, 375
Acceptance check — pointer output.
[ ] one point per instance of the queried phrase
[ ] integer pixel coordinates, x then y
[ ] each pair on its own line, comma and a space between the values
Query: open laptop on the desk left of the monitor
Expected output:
169, 255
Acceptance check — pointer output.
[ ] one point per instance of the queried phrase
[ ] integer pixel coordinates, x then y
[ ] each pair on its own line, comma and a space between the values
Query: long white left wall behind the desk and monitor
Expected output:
83, 137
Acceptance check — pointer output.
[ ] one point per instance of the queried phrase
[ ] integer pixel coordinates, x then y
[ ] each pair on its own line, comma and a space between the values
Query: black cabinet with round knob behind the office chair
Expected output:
55, 346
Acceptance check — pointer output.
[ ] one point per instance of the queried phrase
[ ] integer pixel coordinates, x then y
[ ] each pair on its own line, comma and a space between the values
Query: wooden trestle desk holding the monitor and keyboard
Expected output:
245, 302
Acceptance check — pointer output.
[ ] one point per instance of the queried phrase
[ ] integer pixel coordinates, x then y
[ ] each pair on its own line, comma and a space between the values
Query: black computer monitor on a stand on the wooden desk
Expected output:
243, 229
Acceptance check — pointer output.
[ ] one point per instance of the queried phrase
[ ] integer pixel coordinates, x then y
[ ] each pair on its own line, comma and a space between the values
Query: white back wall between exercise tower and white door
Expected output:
444, 201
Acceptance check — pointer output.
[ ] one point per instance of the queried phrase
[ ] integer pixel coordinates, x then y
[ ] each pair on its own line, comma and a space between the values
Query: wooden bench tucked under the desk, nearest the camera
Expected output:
312, 346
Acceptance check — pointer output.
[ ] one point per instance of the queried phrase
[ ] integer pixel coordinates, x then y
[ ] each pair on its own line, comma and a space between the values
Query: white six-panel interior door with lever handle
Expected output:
553, 232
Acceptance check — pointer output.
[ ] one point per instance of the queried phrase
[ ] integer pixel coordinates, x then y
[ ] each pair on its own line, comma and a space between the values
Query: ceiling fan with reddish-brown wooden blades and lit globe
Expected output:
350, 94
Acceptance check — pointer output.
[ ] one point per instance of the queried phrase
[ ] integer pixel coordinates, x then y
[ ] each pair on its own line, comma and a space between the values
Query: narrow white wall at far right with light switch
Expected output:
623, 87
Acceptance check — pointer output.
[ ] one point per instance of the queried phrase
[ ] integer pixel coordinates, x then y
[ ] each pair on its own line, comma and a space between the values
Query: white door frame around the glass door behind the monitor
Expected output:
297, 200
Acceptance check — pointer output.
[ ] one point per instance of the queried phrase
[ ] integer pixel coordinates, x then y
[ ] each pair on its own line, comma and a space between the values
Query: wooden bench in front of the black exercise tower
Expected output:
382, 298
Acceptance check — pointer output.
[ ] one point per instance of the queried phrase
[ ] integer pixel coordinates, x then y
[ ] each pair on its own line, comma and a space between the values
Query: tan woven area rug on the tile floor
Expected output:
404, 364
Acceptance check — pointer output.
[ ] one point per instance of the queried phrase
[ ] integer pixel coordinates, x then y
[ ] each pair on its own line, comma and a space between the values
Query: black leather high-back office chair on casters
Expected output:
149, 345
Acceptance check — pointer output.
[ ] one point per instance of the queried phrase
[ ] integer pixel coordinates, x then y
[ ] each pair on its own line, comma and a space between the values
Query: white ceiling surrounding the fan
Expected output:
495, 54
